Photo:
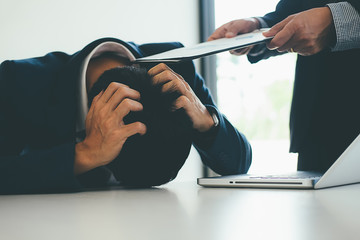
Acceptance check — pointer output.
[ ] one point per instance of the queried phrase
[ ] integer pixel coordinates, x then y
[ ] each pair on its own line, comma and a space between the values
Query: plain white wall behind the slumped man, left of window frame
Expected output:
30, 28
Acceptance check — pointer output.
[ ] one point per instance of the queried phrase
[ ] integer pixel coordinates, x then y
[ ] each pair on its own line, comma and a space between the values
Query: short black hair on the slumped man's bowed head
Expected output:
156, 157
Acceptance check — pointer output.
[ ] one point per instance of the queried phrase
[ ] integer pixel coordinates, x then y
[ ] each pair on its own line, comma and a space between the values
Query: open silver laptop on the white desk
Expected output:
345, 170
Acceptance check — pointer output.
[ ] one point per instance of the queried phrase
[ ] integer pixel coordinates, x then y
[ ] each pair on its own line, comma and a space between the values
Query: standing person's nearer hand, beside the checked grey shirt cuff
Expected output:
306, 33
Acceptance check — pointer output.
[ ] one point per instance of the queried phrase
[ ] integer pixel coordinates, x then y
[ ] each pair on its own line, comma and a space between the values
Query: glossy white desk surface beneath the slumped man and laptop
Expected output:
184, 211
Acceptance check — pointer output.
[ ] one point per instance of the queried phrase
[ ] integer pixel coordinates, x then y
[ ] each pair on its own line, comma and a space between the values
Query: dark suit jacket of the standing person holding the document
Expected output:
324, 115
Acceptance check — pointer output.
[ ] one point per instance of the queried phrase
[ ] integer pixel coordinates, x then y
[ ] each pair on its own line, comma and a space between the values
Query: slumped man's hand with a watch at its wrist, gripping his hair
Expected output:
170, 81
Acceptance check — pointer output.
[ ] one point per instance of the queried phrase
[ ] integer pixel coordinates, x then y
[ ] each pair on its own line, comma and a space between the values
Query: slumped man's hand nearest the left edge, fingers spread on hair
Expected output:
106, 132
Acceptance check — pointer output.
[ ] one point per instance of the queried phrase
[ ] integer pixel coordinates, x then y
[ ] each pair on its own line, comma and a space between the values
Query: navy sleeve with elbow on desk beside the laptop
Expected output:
228, 151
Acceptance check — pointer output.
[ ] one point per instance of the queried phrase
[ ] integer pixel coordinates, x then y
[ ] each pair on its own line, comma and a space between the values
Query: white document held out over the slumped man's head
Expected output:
208, 48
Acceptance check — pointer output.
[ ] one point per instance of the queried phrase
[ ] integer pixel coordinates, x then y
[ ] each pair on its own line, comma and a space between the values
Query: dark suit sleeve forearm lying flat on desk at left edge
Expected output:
42, 171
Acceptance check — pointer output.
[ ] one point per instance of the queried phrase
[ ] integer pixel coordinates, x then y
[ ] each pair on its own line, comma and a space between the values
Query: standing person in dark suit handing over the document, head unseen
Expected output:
324, 115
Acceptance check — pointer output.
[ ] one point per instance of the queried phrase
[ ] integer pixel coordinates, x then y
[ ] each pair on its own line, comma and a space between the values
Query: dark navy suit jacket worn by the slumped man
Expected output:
38, 113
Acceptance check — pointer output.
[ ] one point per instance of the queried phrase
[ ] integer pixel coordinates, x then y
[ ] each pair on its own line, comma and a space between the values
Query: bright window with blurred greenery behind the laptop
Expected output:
256, 98
